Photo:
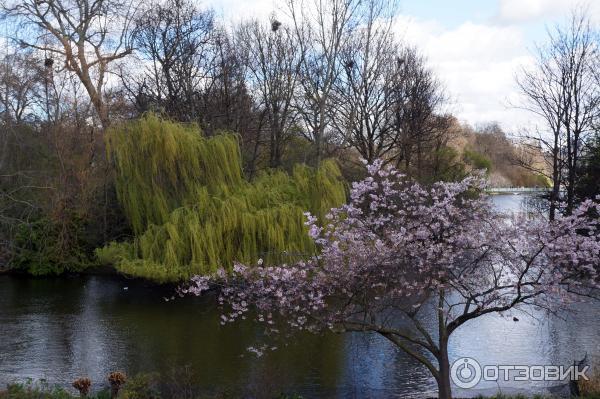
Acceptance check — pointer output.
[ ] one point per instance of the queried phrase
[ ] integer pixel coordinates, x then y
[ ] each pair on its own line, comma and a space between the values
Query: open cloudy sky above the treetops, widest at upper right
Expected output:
476, 47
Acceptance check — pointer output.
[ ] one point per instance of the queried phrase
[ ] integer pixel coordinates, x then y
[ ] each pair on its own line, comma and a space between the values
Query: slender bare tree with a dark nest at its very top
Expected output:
273, 59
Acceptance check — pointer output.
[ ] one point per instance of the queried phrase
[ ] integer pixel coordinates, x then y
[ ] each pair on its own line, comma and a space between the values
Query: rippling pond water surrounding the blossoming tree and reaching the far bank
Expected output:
61, 329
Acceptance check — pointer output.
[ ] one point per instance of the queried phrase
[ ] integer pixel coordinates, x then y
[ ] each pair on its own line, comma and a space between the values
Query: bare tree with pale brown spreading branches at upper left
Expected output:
86, 35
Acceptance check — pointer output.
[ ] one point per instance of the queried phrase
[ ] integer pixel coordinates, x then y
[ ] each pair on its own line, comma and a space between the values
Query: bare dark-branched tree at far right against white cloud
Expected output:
563, 90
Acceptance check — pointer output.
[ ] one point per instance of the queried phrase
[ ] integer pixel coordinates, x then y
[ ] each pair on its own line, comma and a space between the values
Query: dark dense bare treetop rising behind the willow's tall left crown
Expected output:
174, 40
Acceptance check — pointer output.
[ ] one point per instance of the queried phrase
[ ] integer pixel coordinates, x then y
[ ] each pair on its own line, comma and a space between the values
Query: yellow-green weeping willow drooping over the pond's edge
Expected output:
192, 211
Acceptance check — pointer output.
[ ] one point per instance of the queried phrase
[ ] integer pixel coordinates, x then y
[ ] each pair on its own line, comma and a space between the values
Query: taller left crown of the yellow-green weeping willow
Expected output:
161, 165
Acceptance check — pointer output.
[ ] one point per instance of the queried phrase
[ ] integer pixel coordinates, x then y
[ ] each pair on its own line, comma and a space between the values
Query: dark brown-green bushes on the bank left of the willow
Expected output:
57, 199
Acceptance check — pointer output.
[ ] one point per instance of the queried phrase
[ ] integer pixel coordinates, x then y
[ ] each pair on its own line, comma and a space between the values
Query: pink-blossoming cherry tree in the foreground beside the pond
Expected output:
399, 250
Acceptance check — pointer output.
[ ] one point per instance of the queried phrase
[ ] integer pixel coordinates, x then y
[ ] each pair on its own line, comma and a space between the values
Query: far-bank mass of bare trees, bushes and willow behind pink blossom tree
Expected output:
245, 126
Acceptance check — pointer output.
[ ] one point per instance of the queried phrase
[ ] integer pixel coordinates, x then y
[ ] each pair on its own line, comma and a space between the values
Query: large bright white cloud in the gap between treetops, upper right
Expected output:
477, 64
